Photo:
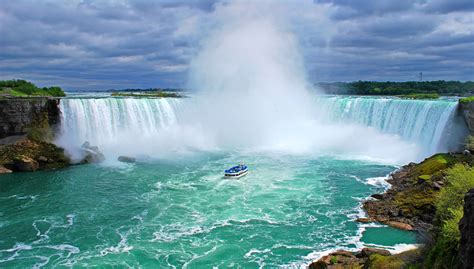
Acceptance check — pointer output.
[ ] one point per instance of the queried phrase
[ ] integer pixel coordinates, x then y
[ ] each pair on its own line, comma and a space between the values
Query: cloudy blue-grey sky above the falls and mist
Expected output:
98, 45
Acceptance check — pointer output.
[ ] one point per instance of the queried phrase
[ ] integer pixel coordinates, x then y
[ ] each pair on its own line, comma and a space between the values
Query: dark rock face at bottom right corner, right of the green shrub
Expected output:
466, 226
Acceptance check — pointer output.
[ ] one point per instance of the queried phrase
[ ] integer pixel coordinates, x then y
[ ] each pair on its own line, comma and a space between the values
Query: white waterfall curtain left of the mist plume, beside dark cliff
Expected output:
104, 120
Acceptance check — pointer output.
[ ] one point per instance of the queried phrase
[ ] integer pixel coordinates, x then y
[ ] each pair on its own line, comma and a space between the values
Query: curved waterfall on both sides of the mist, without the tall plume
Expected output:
151, 125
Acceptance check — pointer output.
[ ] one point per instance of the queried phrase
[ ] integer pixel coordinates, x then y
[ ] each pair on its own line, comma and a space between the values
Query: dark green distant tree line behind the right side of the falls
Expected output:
440, 87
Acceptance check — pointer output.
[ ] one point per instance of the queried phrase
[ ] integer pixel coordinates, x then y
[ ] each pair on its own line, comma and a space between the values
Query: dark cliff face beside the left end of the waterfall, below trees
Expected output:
18, 116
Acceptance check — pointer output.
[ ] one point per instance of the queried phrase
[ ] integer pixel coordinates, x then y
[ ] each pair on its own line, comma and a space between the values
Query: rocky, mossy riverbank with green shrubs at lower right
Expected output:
413, 203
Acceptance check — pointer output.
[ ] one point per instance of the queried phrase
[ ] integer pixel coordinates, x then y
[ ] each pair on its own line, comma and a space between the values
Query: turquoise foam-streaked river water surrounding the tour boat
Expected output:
175, 214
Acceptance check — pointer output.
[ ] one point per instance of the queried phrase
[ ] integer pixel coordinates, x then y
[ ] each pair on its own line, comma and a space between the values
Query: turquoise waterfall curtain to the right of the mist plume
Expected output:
424, 122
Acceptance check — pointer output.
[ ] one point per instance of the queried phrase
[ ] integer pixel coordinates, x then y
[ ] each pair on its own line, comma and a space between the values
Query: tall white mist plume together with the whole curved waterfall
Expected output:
252, 94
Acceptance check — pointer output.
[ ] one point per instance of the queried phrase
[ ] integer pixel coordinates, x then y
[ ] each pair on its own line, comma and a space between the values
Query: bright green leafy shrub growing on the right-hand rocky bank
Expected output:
449, 211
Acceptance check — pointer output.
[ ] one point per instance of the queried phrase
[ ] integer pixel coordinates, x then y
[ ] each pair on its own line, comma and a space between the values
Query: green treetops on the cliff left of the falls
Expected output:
23, 88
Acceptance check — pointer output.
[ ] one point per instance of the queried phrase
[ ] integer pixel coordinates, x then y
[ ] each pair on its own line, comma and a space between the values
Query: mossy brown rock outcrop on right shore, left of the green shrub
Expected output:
410, 202
